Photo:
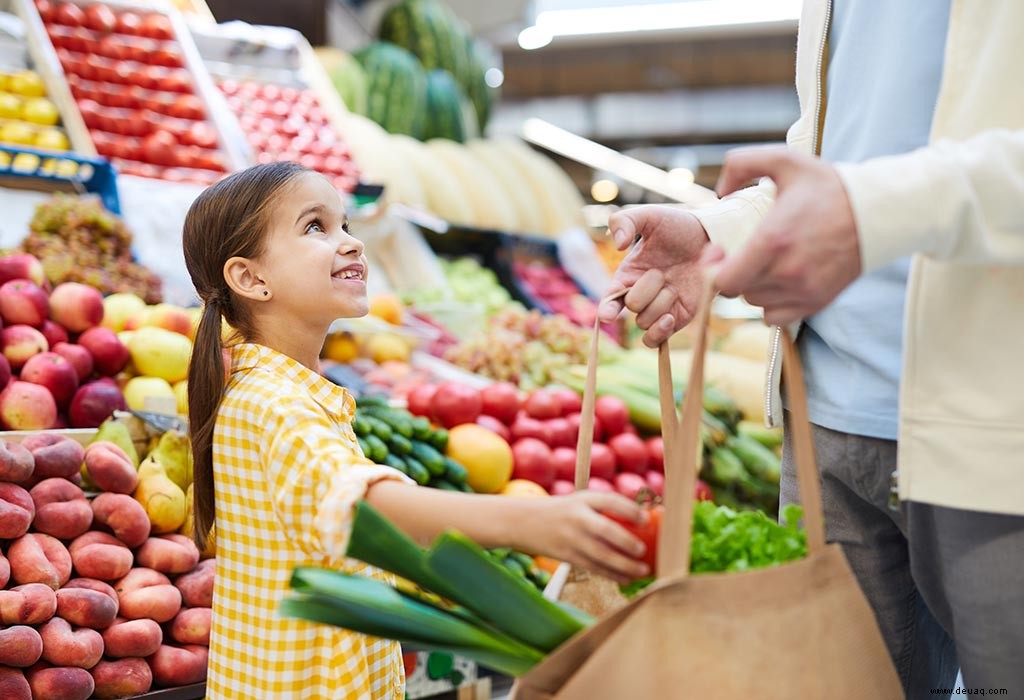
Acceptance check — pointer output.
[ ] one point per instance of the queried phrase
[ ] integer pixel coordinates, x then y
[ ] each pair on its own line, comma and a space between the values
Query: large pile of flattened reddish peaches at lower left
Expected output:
93, 608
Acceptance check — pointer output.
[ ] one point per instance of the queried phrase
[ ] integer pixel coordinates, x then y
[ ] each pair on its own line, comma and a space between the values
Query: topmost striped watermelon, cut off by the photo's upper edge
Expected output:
431, 31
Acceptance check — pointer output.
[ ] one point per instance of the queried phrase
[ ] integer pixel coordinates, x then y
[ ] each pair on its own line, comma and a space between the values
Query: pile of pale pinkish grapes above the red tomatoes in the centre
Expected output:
526, 348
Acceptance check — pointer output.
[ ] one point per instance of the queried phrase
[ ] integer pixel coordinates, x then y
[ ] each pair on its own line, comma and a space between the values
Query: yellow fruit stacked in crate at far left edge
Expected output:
27, 117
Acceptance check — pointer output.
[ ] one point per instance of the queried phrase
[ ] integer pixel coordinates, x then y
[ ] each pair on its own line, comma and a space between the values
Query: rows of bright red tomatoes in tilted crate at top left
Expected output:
131, 79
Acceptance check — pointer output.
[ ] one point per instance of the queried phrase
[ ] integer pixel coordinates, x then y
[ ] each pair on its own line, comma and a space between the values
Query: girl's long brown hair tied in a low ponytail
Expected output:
229, 220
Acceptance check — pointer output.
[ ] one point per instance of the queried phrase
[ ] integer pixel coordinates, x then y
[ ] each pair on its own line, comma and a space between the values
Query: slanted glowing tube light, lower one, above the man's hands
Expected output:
605, 159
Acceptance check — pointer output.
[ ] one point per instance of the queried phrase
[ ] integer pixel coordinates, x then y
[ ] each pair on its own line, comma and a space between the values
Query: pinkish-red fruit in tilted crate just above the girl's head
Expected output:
285, 123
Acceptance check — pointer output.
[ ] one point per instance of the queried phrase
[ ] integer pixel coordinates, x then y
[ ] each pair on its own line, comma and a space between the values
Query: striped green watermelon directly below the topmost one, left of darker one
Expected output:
397, 89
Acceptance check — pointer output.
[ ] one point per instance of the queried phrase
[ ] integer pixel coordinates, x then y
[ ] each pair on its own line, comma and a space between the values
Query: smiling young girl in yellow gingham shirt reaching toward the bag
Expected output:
269, 249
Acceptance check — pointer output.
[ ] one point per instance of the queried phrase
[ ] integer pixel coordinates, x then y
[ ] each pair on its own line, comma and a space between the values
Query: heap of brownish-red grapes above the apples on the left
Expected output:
79, 241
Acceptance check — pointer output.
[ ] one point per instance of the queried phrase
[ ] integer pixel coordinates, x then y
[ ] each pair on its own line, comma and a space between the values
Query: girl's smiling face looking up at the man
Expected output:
315, 271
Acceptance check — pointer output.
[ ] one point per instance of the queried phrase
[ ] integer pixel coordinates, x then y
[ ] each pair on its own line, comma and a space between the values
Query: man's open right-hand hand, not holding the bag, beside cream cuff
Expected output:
806, 251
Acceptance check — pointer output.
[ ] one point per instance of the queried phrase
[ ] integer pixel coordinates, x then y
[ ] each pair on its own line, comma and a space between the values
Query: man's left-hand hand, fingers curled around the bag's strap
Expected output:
663, 270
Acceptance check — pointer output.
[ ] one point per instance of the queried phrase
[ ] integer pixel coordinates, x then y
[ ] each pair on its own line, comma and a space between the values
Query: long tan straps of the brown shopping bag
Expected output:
684, 447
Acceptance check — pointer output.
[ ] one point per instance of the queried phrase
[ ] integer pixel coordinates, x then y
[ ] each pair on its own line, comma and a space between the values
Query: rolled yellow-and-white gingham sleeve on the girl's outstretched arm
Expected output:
315, 477
